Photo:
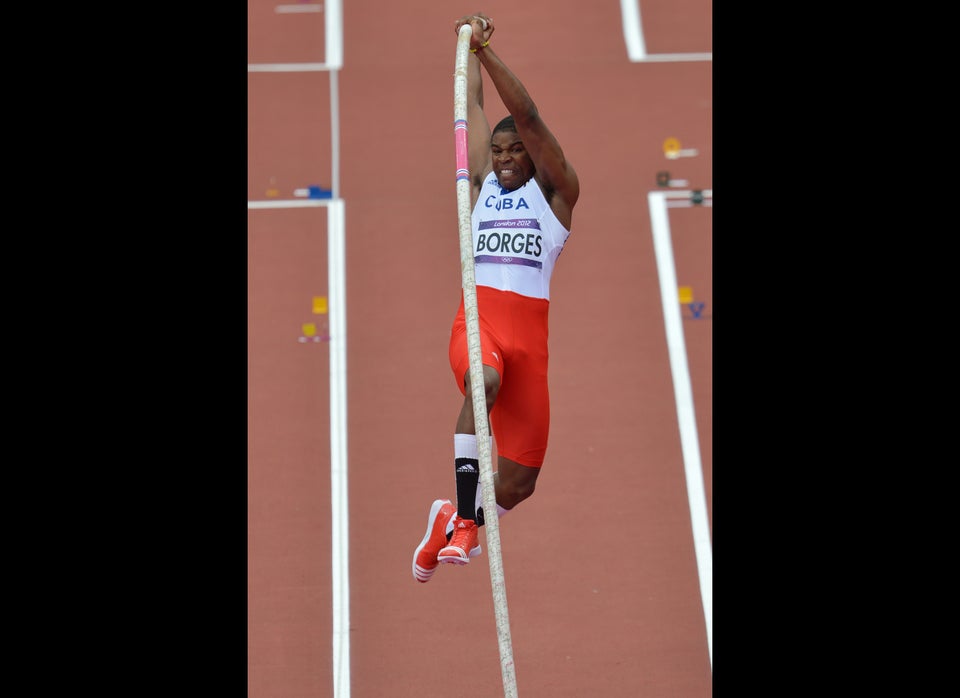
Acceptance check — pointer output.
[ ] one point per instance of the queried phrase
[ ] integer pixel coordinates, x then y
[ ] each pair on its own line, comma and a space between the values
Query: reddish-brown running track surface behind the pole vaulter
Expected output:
600, 568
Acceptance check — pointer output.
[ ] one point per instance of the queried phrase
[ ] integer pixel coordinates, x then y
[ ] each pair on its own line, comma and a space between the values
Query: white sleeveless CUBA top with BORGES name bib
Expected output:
516, 238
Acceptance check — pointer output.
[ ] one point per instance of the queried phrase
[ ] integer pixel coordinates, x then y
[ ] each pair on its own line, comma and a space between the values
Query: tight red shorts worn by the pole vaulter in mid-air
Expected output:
513, 340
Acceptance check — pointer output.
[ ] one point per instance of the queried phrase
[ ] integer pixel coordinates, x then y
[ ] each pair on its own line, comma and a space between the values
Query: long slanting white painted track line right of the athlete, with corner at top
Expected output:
659, 202
